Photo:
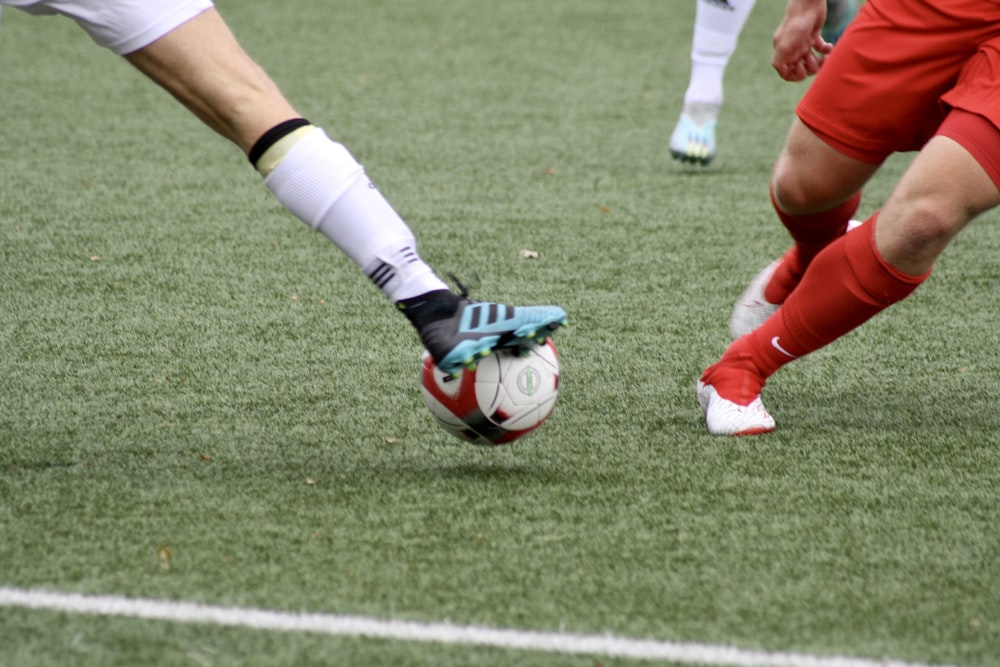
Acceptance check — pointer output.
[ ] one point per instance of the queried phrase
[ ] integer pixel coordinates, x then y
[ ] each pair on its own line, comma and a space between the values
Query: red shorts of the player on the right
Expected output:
897, 71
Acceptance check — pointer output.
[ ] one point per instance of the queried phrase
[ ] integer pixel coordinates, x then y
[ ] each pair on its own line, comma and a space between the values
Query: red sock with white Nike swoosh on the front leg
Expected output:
847, 284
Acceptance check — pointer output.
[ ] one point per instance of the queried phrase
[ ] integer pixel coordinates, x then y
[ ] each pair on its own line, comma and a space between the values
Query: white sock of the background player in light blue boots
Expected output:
716, 31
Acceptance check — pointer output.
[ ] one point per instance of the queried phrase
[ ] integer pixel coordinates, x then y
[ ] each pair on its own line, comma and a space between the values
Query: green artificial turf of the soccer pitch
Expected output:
202, 400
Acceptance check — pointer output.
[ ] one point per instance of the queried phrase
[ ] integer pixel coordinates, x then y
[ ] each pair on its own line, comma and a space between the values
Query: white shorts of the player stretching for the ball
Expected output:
123, 26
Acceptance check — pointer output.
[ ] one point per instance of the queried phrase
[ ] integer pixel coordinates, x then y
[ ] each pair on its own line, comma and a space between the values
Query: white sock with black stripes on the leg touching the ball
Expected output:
322, 184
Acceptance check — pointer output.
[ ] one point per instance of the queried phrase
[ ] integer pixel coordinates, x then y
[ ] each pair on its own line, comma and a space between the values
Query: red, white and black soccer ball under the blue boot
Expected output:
510, 394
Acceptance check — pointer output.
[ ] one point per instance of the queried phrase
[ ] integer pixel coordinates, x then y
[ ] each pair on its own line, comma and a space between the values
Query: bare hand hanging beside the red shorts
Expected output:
799, 48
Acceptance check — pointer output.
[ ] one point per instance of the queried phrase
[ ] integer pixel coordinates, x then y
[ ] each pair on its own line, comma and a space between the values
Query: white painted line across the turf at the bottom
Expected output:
444, 633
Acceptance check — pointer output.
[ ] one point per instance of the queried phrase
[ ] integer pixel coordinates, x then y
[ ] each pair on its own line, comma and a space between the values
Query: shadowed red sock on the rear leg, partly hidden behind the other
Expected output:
811, 233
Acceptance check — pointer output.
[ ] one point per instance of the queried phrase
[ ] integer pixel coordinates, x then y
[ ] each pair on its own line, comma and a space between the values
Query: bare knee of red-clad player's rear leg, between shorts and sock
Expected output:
811, 176
